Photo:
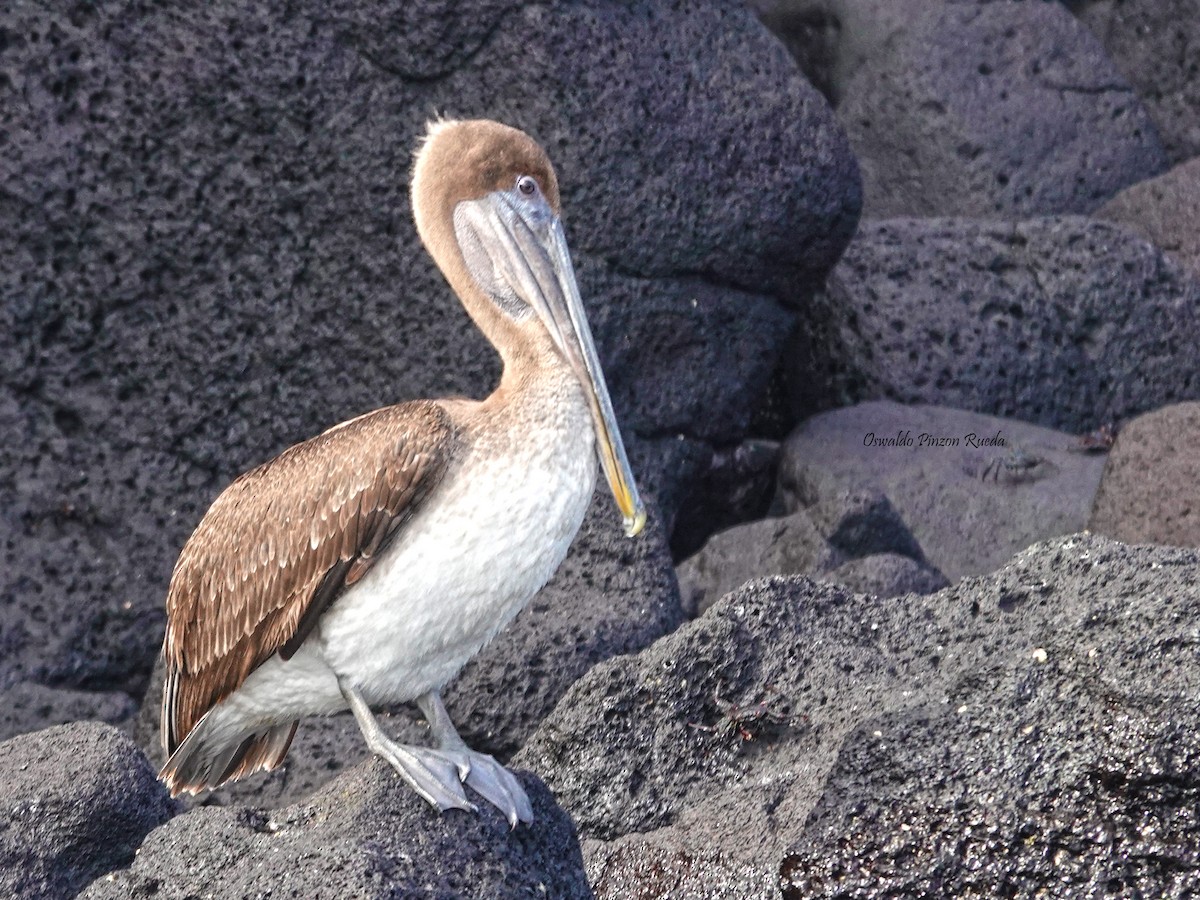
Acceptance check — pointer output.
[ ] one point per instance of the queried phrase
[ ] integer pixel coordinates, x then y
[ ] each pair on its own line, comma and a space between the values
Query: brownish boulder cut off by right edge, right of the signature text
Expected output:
1150, 493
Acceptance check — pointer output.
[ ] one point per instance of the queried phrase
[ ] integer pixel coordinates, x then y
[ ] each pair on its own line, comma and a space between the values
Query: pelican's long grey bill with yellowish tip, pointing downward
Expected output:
530, 253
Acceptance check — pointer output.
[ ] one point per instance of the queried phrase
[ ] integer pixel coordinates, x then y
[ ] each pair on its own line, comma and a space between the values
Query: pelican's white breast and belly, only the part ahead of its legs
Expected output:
463, 572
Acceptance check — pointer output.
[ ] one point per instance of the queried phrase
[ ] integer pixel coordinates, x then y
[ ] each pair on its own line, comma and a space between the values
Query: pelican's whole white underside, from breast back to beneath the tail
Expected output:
489, 538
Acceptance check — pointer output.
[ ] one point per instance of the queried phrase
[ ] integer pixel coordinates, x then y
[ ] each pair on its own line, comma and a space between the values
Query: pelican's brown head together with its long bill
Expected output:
487, 205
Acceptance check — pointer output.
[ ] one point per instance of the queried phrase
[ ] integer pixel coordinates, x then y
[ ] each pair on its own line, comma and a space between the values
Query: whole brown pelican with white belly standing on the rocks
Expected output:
368, 565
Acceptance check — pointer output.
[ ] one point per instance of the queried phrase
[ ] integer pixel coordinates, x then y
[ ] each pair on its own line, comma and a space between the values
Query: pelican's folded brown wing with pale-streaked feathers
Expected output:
283, 543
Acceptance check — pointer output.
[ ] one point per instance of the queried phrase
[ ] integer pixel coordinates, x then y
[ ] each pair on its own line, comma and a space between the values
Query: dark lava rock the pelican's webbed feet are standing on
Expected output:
365, 836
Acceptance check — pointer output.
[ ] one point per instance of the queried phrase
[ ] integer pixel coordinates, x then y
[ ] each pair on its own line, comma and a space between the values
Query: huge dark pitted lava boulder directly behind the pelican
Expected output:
209, 255
